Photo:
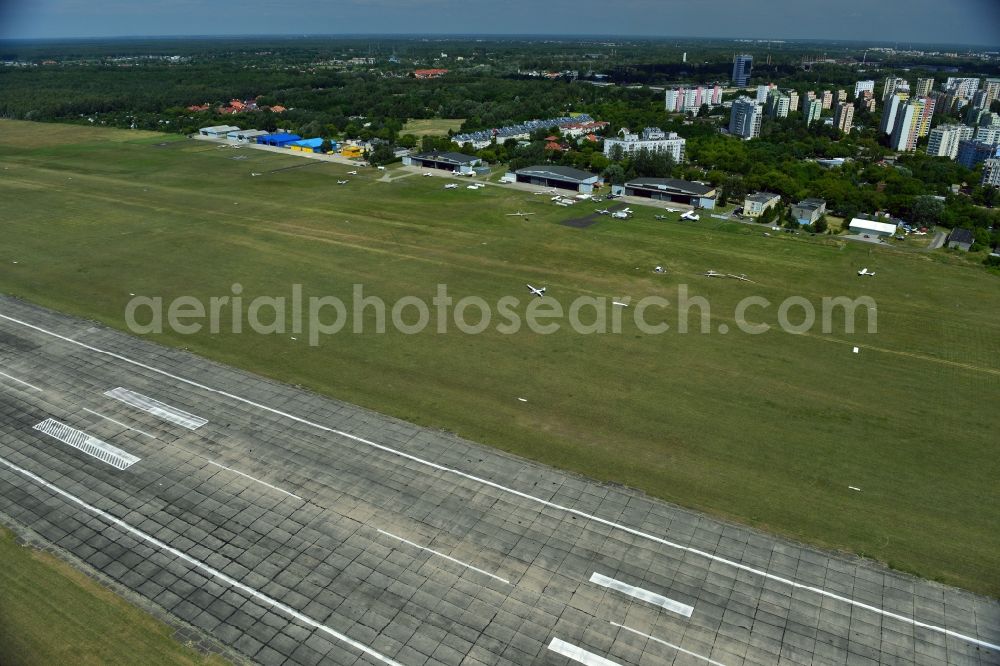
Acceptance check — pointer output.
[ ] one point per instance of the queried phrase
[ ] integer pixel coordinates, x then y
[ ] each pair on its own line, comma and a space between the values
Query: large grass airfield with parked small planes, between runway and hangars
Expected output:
769, 430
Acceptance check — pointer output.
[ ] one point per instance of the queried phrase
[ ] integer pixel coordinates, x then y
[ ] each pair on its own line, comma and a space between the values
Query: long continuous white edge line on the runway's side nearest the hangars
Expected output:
517, 493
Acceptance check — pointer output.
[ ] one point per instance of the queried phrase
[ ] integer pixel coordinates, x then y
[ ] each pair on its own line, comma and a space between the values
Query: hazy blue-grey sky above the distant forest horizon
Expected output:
888, 21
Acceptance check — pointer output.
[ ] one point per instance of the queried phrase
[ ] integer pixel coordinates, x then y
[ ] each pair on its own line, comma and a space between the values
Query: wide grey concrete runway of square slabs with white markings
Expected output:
298, 529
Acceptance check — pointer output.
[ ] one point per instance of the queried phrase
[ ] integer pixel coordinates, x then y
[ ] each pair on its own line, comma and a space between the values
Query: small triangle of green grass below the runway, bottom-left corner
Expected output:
52, 614
